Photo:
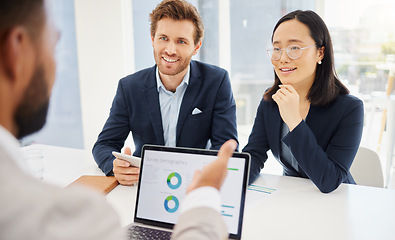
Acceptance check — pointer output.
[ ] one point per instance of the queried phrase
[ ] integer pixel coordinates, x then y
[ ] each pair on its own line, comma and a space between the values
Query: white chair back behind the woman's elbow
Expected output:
366, 168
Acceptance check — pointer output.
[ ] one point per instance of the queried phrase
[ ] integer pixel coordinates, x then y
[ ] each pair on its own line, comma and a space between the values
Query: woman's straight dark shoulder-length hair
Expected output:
326, 86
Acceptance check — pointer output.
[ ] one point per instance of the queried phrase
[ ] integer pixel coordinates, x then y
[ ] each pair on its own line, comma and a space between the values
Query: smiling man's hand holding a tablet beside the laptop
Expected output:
124, 172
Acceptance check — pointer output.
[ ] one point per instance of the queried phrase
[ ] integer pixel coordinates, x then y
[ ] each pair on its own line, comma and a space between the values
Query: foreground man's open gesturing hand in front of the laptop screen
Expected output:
214, 174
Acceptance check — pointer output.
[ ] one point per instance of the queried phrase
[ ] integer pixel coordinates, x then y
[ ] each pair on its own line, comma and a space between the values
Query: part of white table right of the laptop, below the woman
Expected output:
298, 210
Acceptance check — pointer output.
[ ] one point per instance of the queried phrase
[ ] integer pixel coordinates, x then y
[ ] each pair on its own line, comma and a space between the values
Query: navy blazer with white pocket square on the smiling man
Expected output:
136, 109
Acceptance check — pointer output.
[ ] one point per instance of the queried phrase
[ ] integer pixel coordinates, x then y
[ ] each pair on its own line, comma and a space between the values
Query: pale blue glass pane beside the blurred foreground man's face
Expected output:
64, 123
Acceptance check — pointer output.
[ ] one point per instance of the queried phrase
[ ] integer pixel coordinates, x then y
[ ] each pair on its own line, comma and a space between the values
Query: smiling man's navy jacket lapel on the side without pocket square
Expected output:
153, 108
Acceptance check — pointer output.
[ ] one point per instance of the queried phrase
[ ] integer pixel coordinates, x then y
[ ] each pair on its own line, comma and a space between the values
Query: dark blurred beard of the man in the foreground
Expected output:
31, 113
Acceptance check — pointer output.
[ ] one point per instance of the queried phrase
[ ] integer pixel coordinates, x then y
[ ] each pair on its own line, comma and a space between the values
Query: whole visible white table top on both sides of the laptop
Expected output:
296, 210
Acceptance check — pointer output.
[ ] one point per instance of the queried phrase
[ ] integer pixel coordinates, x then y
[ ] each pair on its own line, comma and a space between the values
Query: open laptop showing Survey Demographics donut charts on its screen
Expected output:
165, 174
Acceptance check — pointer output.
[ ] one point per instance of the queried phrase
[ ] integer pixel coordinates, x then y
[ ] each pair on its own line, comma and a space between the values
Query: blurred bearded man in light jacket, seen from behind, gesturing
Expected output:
31, 209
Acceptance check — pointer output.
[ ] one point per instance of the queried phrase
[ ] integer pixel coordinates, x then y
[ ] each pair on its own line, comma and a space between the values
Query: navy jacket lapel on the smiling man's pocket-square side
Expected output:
189, 97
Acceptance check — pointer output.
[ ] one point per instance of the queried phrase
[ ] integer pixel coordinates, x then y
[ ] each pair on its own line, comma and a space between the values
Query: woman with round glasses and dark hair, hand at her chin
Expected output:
308, 119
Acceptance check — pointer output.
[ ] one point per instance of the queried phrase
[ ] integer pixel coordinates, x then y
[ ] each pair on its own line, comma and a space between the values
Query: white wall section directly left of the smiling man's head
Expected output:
105, 54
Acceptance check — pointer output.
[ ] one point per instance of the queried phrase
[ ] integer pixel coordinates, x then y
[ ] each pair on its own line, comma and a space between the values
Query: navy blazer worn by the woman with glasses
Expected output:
324, 145
